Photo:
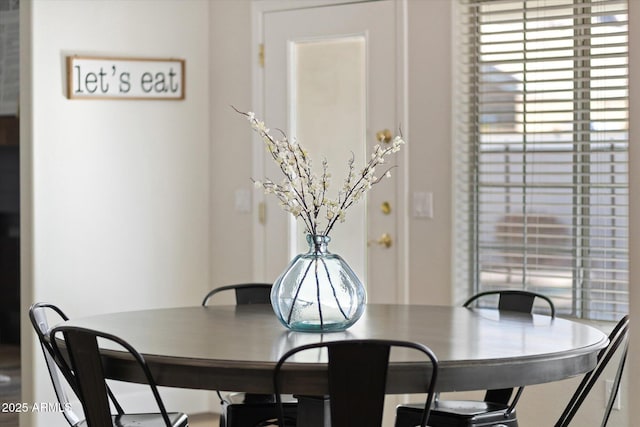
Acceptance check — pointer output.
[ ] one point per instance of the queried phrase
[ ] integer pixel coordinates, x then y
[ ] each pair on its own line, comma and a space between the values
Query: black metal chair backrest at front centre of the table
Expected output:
357, 374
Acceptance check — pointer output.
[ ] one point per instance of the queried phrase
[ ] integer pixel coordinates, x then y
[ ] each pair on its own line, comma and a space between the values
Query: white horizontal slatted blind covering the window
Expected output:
541, 151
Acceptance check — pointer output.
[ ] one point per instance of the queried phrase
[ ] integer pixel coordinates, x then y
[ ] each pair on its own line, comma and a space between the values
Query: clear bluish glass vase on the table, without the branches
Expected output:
318, 291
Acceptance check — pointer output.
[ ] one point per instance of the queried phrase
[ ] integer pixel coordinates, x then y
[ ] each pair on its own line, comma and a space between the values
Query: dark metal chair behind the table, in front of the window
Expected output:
496, 409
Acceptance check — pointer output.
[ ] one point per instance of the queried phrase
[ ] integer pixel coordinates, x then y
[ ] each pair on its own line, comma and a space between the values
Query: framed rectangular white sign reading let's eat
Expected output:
118, 78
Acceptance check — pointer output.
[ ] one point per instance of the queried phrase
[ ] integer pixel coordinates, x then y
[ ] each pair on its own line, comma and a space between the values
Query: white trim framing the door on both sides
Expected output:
259, 8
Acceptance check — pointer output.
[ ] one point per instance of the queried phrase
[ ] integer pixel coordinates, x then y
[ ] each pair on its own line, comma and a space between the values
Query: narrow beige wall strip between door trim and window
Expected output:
430, 148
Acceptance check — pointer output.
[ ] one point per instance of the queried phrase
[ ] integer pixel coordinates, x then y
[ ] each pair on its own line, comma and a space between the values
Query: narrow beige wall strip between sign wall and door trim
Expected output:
231, 149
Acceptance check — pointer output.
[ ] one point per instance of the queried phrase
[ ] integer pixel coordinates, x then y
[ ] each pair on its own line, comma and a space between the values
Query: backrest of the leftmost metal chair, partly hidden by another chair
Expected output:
59, 375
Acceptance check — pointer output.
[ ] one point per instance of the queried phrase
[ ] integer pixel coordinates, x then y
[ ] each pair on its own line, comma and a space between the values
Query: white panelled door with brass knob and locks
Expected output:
330, 78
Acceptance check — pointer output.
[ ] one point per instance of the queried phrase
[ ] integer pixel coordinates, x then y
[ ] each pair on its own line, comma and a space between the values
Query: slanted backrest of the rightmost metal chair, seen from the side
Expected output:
618, 343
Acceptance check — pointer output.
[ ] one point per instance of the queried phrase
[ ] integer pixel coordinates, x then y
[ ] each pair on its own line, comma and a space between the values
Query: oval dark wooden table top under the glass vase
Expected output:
236, 347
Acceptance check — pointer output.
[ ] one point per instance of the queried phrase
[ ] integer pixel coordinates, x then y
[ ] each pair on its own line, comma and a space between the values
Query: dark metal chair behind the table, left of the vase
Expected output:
249, 409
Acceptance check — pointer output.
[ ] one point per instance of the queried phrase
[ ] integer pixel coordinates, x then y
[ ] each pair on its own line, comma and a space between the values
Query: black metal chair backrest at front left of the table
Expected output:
81, 345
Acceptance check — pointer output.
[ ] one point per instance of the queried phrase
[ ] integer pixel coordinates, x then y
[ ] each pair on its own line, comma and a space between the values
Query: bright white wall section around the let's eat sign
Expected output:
116, 194
